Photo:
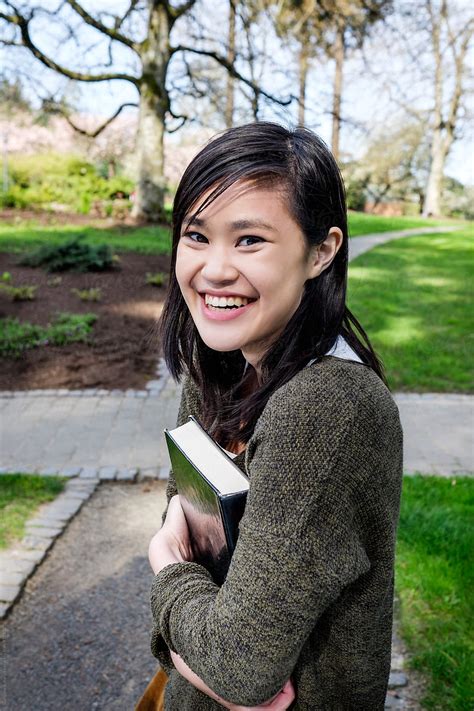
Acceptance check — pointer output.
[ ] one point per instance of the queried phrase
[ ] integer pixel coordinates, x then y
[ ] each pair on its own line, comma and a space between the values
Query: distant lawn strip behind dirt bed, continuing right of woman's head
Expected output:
22, 235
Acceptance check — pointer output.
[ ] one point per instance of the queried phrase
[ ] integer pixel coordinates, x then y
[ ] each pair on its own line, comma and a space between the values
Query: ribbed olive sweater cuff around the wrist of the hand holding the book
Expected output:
172, 587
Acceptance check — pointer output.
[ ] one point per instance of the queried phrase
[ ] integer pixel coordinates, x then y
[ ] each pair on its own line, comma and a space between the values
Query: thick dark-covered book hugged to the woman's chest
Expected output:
213, 491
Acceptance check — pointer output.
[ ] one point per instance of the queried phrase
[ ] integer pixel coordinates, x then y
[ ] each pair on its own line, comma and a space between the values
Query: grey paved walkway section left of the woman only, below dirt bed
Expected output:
44, 431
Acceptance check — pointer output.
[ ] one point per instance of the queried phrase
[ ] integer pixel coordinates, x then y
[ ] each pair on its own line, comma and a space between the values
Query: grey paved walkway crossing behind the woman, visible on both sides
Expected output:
112, 434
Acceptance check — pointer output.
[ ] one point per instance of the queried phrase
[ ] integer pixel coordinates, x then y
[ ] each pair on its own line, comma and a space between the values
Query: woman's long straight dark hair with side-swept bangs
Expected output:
299, 162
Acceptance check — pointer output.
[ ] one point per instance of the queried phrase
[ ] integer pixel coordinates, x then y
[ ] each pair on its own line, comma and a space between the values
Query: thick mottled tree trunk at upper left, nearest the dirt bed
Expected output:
154, 103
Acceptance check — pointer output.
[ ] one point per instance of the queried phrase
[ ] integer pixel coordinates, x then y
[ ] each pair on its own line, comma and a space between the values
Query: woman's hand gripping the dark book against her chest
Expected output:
172, 543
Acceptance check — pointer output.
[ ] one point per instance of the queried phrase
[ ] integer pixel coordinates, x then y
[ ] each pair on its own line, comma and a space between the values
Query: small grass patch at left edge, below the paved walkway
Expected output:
20, 496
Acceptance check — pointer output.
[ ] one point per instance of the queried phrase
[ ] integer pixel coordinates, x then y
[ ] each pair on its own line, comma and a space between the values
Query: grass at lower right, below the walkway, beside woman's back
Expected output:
435, 583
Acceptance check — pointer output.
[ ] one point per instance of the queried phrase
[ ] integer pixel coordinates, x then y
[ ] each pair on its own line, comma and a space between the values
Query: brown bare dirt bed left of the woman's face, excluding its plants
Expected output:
123, 349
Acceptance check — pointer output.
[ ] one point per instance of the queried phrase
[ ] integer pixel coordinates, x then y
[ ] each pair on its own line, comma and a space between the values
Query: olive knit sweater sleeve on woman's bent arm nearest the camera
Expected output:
298, 548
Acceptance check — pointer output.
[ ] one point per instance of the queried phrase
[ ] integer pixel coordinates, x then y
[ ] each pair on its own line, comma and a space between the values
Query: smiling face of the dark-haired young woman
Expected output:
241, 266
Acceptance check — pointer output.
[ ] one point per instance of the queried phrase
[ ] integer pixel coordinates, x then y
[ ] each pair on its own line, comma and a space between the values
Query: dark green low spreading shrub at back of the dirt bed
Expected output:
72, 255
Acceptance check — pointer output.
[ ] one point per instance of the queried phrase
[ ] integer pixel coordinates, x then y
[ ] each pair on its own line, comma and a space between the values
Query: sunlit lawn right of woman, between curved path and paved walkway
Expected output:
414, 298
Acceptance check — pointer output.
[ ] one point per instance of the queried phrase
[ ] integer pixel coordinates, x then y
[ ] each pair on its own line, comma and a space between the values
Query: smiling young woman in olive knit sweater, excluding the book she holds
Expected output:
280, 373
